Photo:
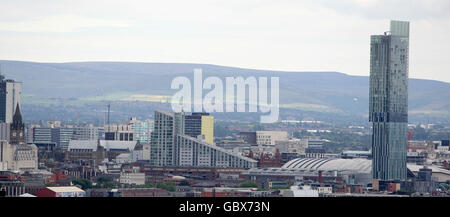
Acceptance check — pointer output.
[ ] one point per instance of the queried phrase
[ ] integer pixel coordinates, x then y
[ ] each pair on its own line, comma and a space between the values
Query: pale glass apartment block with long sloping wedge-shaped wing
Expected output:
172, 146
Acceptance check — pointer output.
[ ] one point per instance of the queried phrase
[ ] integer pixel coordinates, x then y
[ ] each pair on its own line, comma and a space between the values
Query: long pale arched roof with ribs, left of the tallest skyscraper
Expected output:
330, 164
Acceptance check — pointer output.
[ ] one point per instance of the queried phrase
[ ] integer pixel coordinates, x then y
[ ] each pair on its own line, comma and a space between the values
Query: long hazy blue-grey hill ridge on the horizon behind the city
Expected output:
328, 92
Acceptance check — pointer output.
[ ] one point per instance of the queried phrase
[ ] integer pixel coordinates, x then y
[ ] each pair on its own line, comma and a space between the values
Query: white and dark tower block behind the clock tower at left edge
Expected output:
10, 98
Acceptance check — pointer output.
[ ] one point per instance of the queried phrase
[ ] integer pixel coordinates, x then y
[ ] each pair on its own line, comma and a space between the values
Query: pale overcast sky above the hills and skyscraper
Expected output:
292, 35
